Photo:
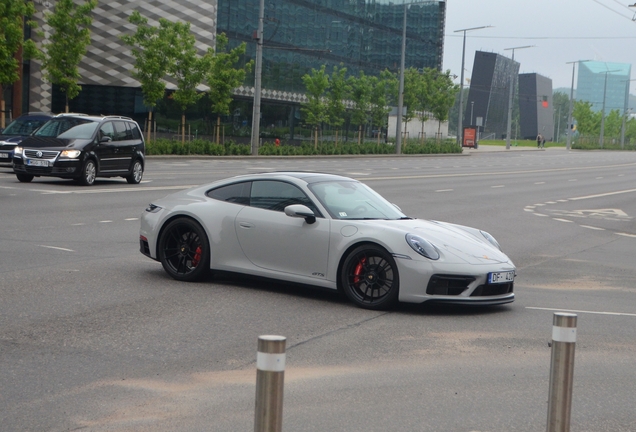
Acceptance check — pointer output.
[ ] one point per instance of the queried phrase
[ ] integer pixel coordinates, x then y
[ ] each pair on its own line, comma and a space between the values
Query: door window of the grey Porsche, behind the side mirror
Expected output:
276, 195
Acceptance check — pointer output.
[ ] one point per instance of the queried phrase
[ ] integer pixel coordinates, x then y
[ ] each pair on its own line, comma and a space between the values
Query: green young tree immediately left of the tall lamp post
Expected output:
223, 76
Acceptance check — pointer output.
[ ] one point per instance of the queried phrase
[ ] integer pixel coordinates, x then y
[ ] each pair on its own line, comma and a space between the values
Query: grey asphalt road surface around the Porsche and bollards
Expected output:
94, 336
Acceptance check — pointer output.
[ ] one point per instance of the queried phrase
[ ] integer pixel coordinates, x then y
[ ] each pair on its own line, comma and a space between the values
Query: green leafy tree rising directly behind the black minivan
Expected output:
70, 35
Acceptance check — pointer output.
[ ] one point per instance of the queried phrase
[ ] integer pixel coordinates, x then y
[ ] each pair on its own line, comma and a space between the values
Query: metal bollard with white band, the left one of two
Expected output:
270, 365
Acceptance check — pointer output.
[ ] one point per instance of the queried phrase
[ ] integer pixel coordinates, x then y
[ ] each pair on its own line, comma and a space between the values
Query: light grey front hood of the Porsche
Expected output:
457, 241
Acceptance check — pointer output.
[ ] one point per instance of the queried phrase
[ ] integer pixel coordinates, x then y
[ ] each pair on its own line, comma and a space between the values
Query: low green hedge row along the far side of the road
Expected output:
230, 148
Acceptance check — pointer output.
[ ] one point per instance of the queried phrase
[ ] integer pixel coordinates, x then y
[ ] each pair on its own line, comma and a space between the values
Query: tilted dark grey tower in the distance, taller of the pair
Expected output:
489, 93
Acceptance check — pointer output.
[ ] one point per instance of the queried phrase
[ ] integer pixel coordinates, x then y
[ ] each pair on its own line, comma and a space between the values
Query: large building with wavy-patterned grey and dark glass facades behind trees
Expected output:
299, 35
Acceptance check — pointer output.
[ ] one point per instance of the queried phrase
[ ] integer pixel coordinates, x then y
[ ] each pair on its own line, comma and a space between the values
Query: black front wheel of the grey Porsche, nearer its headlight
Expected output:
369, 278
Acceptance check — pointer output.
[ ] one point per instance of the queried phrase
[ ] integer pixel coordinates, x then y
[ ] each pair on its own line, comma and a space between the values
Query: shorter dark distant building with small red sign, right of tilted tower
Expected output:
536, 113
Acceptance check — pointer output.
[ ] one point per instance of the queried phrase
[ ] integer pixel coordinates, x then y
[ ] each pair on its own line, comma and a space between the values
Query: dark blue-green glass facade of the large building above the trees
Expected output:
360, 34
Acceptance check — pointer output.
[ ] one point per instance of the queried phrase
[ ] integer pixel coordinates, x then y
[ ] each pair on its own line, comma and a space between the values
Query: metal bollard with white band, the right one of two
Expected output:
561, 372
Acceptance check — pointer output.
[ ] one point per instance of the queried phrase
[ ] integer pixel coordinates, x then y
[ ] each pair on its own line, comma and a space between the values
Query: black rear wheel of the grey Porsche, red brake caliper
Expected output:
184, 250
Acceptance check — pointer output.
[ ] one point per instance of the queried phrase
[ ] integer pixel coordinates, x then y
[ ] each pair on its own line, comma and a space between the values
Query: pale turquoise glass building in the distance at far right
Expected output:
592, 85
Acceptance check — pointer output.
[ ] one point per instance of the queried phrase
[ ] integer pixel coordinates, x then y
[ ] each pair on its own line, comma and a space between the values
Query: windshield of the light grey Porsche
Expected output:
354, 200
